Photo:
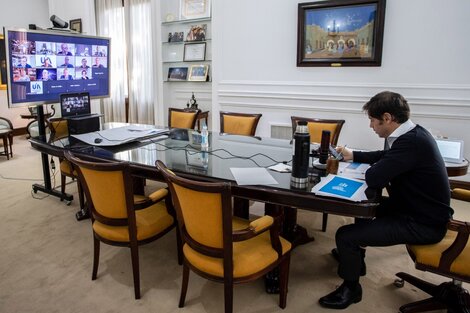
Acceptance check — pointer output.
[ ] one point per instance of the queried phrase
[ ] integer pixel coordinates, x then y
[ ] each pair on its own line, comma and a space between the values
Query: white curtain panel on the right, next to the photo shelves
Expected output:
140, 61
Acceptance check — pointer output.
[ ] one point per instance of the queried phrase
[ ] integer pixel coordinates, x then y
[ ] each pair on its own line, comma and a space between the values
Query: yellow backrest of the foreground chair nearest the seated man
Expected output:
204, 213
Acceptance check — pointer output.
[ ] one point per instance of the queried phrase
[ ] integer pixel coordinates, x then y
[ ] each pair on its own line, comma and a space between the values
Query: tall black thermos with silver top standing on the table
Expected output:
301, 155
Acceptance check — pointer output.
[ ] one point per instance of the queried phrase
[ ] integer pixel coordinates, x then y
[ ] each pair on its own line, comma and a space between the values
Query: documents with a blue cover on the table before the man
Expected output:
341, 187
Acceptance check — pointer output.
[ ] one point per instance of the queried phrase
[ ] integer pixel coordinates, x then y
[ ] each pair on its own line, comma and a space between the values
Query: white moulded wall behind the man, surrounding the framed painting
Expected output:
425, 58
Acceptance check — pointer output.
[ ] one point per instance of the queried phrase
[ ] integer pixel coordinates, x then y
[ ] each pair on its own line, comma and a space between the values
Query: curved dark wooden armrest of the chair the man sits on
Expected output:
451, 253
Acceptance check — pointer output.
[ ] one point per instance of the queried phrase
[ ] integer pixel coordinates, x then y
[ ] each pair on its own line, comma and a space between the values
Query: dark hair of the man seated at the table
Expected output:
388, 102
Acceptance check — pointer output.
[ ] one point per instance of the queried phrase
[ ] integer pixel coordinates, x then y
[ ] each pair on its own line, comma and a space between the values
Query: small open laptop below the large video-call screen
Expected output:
75, 105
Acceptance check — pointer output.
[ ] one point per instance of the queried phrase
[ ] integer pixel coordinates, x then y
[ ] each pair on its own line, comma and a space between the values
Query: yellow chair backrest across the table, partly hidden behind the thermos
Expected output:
317, 125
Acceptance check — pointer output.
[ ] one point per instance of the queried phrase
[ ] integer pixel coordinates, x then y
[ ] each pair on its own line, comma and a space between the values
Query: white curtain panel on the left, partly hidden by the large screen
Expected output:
110, 23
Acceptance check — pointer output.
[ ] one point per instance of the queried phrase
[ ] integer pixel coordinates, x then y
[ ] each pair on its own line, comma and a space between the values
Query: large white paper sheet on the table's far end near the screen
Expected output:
120, 135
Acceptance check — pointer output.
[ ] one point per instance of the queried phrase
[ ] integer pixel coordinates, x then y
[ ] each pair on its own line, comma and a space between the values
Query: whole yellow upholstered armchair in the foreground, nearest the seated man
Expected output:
221, 247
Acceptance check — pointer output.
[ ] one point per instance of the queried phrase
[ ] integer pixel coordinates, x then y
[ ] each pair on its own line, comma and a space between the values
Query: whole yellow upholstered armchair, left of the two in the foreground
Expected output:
116, 219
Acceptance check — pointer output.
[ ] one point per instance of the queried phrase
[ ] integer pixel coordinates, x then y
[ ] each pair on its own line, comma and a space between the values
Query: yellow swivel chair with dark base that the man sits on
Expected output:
449, 258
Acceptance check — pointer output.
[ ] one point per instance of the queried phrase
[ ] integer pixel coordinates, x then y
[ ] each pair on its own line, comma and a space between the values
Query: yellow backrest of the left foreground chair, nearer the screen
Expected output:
108, 189
